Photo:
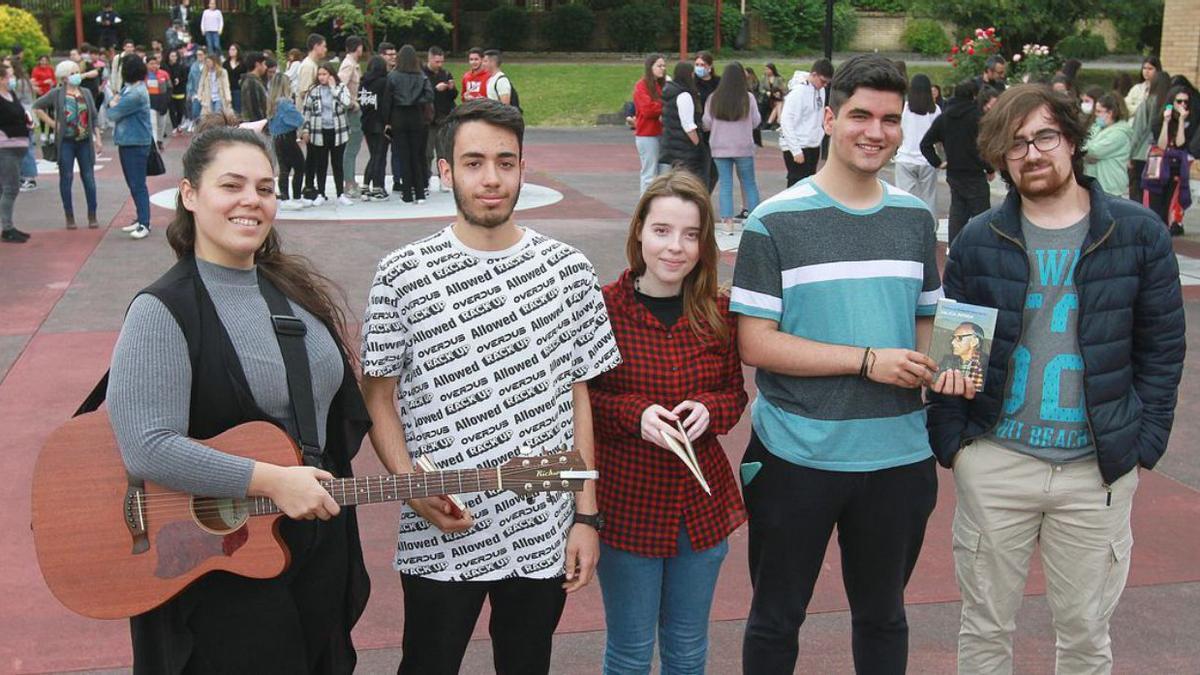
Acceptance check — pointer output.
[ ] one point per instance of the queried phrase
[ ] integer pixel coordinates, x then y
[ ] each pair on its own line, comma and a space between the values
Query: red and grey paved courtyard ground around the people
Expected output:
64, 294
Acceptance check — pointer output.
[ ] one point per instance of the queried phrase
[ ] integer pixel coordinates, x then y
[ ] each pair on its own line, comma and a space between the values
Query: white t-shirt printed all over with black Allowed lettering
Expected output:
487, 347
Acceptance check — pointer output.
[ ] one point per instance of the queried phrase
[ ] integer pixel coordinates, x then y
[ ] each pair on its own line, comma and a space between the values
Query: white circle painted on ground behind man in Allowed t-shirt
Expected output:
439, 205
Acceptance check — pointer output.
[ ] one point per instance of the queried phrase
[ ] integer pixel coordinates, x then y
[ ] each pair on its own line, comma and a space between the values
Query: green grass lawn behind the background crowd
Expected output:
577, 94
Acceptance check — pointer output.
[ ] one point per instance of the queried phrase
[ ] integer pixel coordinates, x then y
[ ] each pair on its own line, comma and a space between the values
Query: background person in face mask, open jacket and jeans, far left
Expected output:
74, 122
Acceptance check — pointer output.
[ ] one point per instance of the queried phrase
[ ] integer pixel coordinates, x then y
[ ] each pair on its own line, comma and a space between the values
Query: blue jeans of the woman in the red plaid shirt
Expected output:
674, 595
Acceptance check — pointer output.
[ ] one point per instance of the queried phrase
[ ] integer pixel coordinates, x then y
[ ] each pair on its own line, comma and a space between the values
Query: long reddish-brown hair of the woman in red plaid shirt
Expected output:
700, 288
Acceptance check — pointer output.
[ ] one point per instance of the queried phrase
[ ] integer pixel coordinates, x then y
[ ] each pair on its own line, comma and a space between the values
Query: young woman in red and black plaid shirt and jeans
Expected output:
664, 536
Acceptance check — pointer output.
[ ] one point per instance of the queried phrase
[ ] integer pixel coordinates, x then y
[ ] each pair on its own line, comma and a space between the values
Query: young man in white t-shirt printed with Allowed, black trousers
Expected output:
488, 333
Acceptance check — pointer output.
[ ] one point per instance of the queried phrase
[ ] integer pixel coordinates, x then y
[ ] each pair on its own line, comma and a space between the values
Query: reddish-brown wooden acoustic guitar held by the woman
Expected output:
111, 551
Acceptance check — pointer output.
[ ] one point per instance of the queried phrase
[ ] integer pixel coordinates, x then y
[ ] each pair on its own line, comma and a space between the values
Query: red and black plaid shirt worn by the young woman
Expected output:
645, 491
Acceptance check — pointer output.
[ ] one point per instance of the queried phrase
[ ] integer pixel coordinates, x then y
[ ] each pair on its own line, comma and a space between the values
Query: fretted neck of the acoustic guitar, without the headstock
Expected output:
376, 489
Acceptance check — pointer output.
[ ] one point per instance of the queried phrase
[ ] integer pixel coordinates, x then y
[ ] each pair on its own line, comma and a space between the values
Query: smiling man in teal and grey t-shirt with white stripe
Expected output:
837, 284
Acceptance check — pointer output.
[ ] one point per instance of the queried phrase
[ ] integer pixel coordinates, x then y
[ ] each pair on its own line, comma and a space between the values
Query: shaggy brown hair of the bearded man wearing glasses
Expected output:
1013, 107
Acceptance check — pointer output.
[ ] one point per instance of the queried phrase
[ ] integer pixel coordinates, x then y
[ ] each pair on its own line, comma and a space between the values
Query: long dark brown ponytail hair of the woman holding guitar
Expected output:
295, 276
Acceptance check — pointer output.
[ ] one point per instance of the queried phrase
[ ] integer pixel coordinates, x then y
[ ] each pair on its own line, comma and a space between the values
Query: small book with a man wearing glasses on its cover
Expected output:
963, 338
